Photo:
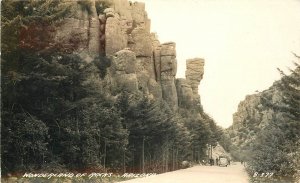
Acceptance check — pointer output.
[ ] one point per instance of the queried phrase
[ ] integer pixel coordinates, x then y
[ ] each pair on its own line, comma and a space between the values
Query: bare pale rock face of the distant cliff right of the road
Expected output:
253, 115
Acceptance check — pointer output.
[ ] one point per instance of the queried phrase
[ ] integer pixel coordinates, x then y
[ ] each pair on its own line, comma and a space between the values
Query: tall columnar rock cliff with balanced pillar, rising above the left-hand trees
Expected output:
120, 31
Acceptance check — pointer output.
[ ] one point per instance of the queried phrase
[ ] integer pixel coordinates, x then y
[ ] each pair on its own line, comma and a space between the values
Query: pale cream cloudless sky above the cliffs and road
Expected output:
242, 42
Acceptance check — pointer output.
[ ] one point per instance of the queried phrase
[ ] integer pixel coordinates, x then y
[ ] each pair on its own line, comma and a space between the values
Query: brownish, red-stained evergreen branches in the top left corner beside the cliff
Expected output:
18, 17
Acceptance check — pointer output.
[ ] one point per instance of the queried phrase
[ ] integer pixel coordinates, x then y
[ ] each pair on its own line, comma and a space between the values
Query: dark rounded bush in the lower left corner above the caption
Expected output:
25, 141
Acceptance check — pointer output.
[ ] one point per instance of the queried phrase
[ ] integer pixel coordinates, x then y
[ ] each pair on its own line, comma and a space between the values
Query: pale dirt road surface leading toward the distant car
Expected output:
199, 174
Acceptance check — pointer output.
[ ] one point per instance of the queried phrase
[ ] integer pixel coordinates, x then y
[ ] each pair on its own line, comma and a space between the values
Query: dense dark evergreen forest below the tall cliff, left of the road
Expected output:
56, 115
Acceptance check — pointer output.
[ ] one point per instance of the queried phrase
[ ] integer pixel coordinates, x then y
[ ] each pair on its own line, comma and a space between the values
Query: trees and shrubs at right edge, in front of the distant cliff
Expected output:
275, 148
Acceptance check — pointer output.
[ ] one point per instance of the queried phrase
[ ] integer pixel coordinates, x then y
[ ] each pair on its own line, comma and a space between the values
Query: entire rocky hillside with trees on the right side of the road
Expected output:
273, 147
